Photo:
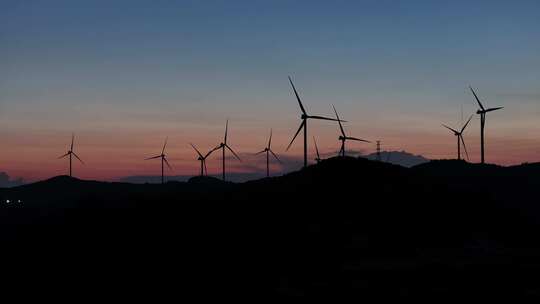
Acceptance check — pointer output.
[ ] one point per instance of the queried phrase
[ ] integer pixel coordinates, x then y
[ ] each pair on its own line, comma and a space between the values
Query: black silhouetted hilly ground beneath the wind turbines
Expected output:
345, 228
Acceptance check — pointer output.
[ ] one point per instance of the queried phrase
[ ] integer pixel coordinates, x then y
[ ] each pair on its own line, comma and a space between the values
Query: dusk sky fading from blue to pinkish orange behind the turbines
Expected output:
123, 75
